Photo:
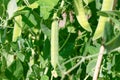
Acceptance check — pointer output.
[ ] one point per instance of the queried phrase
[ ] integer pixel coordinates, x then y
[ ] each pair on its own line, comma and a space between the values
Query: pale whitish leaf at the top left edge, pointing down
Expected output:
11, 8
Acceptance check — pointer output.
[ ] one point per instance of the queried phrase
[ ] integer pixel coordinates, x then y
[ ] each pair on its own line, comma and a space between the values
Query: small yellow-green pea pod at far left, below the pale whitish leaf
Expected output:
17, 28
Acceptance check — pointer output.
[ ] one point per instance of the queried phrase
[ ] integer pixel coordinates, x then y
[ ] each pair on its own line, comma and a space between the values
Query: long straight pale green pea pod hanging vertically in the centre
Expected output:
54, 41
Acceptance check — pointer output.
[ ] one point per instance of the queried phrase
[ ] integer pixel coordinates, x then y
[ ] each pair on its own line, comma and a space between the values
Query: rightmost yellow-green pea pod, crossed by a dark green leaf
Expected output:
106, 6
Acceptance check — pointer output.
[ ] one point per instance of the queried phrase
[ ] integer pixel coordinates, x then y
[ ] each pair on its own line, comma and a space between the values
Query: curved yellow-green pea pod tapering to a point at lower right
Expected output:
80, 15
